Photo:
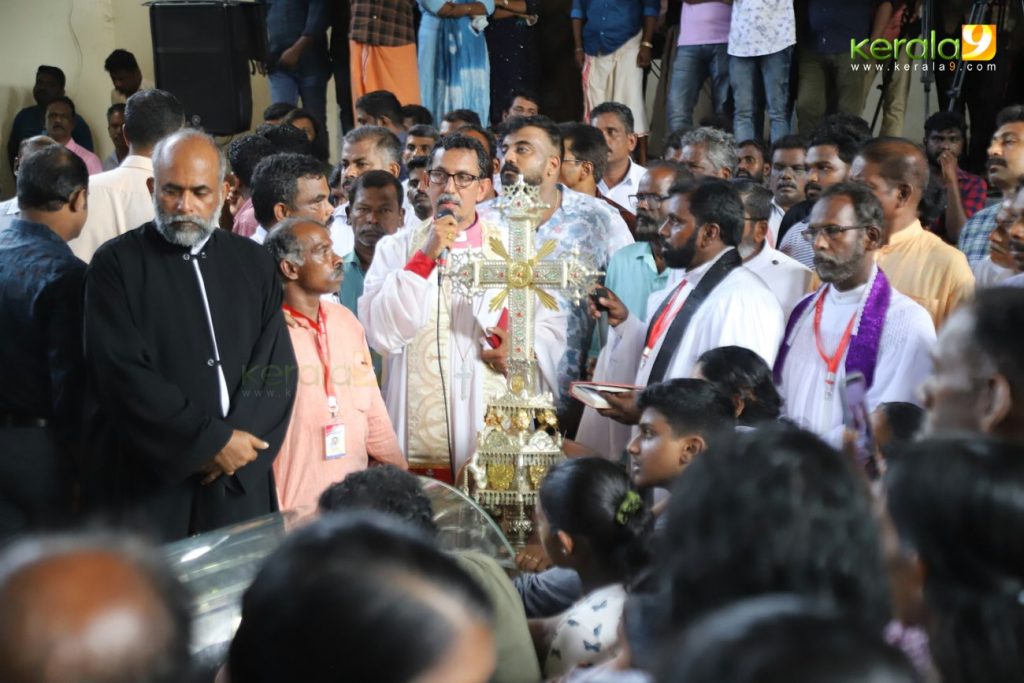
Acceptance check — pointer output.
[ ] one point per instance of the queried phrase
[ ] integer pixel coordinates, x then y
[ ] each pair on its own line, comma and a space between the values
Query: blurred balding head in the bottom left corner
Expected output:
96, 611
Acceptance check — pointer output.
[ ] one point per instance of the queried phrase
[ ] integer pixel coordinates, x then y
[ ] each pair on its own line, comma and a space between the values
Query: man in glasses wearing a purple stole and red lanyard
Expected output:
857, 322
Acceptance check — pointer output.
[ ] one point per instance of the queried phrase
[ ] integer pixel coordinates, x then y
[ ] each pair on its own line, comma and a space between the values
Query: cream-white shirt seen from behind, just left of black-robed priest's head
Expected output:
119, 201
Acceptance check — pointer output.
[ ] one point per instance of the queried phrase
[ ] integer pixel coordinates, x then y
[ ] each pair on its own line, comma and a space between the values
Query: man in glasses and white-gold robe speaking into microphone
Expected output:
446, 353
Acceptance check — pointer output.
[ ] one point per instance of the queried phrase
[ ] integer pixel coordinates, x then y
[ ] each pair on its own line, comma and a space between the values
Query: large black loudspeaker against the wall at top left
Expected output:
202, 54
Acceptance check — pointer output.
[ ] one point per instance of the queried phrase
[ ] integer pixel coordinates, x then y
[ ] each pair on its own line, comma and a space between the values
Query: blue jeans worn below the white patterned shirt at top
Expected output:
774, 71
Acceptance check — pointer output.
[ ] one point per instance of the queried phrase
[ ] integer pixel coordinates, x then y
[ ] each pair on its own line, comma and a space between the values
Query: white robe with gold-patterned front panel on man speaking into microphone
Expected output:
399, 310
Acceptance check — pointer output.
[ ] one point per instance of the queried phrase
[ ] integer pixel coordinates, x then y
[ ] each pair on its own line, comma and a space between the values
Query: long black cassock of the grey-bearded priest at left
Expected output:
154, 417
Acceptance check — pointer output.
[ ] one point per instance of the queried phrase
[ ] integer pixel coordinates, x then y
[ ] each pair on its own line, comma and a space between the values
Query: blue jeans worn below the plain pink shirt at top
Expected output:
694, 65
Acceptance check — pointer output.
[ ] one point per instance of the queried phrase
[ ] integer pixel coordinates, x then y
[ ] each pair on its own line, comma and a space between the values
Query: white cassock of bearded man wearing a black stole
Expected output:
741, 312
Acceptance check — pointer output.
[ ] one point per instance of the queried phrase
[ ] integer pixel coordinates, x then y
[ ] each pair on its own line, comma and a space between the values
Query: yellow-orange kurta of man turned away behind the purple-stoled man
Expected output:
921, 266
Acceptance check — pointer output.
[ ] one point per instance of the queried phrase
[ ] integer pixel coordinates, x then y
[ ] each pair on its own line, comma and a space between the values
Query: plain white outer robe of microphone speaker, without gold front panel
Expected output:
397, 305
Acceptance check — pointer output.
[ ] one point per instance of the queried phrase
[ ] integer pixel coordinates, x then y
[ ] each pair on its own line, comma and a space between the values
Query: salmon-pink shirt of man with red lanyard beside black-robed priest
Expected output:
302, 471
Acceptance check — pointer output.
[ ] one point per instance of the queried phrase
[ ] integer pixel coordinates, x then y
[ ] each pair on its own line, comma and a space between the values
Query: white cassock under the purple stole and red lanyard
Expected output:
904, 361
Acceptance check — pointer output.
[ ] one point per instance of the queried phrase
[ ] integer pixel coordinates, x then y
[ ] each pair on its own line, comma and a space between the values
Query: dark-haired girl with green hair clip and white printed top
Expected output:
592, 521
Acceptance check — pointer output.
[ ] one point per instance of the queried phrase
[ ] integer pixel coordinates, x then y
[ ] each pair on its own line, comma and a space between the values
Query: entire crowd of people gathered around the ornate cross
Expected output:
804, 462
